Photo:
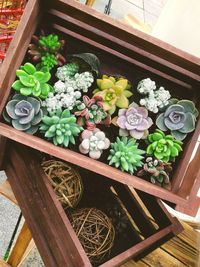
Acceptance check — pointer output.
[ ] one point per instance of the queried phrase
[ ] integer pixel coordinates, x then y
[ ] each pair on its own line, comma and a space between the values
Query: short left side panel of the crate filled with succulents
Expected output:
17, 48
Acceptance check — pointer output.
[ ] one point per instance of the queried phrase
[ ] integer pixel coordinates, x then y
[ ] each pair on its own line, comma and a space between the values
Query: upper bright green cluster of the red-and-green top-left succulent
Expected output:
50, 43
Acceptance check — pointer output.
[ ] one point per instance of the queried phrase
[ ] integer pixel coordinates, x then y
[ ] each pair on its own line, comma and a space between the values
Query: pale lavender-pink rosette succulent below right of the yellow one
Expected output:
134, 121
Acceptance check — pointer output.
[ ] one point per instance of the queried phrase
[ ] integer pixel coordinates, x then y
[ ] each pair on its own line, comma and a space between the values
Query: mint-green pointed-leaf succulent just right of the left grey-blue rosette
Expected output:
60, 127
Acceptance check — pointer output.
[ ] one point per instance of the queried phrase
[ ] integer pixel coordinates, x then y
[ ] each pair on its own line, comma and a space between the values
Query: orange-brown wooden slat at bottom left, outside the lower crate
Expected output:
20, 246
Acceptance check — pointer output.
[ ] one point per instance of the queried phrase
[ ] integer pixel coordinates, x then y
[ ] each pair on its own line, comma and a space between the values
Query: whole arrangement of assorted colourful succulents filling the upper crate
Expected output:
70, 104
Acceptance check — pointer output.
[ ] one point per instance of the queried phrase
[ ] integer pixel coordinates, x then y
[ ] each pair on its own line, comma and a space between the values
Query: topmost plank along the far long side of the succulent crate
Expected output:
128, 34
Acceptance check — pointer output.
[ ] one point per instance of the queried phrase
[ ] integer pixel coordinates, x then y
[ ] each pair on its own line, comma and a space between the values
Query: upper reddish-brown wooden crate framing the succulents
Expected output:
122, 50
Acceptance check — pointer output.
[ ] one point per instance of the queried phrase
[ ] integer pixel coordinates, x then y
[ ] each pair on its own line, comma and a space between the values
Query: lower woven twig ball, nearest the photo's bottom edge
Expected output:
95, 232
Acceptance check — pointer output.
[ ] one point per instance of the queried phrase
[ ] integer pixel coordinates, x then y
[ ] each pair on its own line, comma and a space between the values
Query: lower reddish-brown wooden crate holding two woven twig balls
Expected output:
55, 238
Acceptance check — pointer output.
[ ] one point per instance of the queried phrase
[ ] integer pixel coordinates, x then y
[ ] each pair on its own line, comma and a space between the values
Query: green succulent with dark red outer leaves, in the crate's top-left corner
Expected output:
45, 49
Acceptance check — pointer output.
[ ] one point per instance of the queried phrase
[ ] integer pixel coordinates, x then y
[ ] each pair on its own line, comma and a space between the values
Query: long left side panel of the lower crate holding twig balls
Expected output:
52, 231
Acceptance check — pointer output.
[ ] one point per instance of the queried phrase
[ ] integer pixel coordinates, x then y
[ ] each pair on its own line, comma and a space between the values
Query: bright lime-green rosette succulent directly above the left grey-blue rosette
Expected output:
32, 81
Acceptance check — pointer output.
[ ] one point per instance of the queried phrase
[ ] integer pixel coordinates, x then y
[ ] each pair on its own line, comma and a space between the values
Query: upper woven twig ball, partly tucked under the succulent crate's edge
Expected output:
65, 180
